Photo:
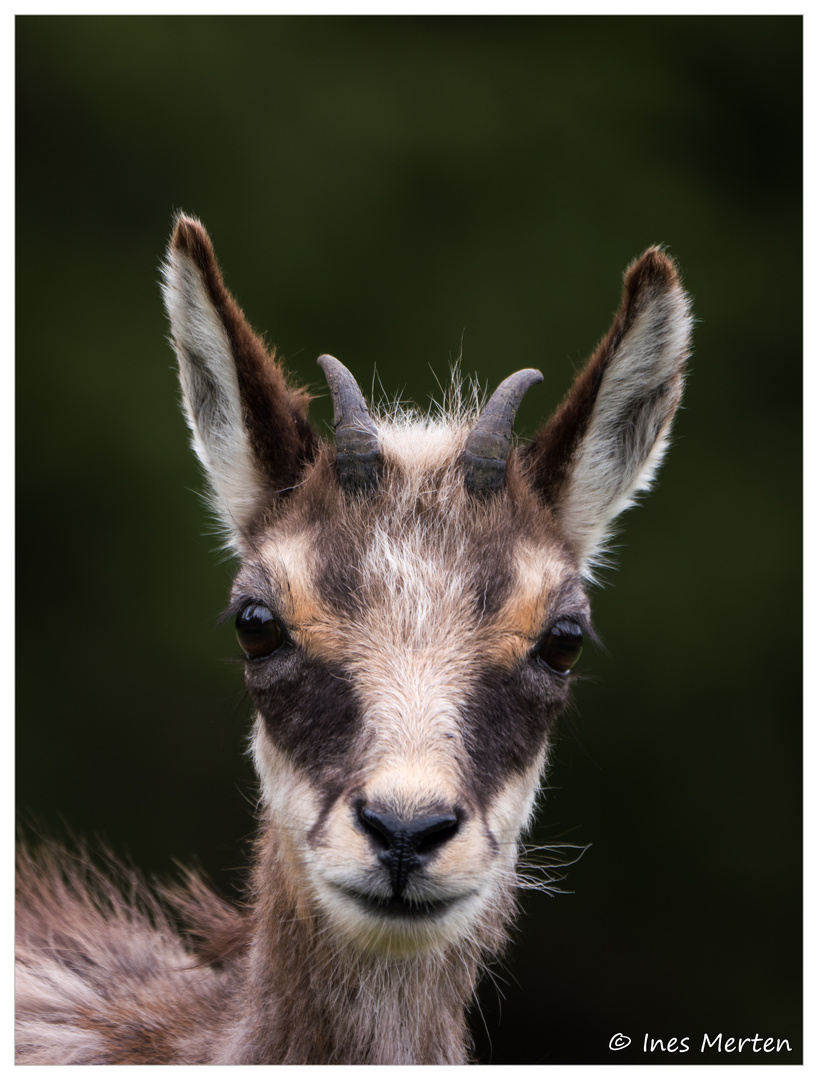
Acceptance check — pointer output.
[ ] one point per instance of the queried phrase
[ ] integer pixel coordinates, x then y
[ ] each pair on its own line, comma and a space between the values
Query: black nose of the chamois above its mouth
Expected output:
405, 844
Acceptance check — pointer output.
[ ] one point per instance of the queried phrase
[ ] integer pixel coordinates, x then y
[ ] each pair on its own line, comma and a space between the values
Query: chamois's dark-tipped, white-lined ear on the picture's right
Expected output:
606, 442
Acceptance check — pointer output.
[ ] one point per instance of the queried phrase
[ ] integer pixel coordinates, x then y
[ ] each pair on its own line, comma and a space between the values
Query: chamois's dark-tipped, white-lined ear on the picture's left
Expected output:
250, 430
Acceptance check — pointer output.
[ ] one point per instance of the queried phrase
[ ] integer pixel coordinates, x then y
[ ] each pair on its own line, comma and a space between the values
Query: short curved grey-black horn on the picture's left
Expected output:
357, 451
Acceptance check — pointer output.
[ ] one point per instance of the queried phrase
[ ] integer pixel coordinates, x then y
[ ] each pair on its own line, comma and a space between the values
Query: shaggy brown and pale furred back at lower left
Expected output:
103, 976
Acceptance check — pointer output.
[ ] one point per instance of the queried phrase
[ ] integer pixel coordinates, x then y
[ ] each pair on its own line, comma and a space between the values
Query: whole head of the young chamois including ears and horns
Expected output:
411, 601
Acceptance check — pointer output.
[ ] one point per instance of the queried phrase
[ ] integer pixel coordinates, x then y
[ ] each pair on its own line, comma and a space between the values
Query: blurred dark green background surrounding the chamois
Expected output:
391, 191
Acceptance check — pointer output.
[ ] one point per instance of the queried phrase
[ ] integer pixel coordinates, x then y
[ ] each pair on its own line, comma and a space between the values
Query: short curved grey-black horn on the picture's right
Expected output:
490, 440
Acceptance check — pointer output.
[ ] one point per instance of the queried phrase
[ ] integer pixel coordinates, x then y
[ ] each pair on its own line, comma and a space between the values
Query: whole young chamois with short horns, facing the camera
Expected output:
410, 602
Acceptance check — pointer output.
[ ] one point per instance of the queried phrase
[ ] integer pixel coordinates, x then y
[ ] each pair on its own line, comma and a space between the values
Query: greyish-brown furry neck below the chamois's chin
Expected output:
309, 1000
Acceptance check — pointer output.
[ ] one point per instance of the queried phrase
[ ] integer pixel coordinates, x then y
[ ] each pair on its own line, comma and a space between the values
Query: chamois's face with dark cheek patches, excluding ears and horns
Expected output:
407, 667
